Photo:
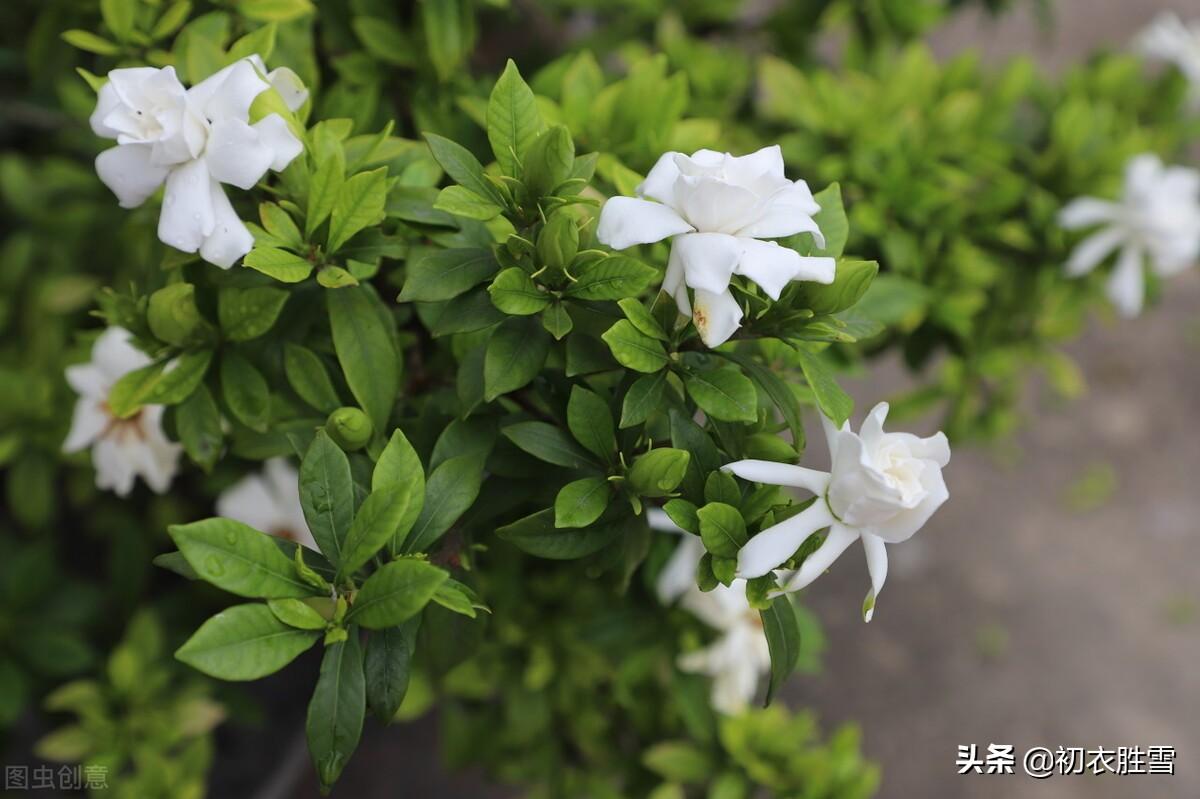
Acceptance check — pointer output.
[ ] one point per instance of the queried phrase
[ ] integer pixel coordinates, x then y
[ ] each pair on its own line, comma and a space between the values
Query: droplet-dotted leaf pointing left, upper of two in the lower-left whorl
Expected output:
239, 560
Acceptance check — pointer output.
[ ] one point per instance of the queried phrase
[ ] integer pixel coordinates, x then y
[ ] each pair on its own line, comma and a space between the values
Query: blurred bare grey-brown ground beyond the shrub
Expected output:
1054, 600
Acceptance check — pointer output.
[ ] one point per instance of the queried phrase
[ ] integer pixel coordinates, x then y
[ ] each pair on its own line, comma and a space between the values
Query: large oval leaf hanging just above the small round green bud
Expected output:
367, 351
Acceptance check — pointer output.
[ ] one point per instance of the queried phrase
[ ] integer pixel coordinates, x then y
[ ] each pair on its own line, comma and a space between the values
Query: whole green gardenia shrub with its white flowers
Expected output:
488, 379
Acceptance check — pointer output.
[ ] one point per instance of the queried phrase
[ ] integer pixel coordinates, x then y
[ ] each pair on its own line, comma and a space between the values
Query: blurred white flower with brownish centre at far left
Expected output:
122, 449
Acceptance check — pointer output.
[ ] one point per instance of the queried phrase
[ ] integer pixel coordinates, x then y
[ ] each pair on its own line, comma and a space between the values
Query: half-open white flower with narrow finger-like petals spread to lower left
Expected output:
883, 488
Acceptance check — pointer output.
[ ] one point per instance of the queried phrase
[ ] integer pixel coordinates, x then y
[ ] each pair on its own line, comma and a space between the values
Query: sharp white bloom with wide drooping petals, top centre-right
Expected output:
718, 208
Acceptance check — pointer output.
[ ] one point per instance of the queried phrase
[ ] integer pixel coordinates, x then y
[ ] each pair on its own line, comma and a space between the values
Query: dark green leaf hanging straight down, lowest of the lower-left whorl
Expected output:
338, 710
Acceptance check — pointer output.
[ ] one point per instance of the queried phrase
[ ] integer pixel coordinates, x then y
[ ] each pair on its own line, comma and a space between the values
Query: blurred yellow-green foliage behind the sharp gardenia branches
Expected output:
952, 175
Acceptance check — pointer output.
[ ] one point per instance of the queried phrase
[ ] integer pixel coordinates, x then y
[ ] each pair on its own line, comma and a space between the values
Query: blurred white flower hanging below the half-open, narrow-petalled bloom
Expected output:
740, 657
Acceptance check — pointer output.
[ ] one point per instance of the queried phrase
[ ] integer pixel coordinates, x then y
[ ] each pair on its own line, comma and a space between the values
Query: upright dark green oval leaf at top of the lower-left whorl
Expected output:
327, 495
